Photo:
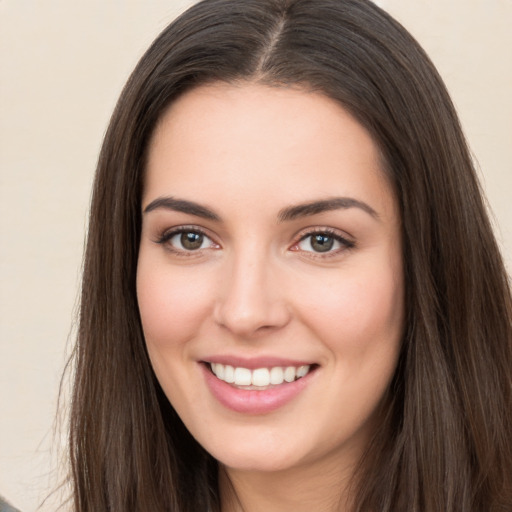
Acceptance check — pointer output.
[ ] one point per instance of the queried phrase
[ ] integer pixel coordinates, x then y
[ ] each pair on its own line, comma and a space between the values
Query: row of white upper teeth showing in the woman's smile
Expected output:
261, 377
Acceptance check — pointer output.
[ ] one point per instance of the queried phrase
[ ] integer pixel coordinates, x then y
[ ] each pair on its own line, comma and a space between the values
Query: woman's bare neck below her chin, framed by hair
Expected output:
300, 489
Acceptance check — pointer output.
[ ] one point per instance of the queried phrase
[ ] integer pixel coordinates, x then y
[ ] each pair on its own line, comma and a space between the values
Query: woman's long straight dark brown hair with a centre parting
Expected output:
445, 442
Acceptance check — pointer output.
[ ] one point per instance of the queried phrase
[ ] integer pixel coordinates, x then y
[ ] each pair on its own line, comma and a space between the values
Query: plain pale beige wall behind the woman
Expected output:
62, 66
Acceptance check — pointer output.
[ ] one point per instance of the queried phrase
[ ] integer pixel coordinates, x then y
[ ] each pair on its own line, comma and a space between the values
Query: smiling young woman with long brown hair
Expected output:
292, 297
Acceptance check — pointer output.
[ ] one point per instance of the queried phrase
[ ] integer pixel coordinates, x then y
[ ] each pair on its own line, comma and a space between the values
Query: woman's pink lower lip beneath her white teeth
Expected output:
251, 401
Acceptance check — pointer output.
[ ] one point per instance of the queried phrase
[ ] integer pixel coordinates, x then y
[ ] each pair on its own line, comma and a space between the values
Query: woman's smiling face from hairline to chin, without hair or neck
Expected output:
270, 256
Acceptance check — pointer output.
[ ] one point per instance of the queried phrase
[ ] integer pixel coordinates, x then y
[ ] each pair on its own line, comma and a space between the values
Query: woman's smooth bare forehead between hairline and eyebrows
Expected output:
250, 140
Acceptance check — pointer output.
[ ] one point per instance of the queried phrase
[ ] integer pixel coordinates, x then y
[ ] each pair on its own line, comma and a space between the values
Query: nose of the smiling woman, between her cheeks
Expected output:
251, 298
